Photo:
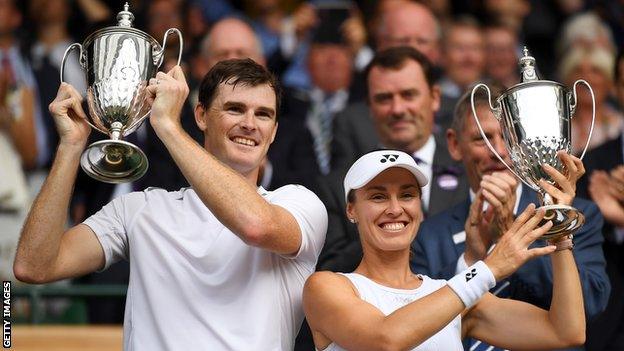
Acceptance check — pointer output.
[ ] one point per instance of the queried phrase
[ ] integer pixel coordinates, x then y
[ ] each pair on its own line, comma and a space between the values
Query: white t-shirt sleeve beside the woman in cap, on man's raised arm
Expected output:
310, 214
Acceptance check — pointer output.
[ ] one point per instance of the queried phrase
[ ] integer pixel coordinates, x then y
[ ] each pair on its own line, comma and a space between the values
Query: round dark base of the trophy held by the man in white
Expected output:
114, 161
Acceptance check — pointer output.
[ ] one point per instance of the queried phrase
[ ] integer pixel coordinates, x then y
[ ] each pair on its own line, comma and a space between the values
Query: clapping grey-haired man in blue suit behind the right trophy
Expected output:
464, 233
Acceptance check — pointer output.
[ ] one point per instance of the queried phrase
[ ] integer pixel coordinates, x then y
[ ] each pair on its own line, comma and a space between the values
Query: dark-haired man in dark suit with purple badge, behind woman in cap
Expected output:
403, 100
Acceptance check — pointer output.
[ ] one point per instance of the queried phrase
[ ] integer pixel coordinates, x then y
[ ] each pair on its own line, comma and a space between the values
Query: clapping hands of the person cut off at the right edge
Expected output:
604, 190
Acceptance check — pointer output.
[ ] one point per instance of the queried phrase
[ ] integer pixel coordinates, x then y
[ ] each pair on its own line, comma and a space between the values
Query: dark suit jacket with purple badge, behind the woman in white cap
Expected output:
342, 251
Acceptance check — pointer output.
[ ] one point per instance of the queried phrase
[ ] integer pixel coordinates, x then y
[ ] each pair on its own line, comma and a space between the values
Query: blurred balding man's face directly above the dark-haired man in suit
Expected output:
410, 25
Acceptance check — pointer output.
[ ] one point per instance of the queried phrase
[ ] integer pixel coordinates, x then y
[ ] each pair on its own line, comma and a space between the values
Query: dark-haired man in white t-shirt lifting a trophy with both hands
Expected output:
220, 265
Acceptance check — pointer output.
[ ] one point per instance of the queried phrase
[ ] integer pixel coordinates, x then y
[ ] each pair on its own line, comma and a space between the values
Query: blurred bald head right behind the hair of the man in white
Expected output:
231, 39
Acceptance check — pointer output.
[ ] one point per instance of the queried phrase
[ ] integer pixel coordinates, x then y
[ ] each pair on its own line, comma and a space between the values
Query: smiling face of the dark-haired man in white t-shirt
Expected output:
239, 125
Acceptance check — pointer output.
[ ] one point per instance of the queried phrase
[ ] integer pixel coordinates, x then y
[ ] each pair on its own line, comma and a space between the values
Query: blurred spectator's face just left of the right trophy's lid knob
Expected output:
501, 60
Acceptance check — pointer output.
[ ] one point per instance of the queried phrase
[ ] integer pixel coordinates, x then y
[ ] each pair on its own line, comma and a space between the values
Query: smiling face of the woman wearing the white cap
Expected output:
388, 210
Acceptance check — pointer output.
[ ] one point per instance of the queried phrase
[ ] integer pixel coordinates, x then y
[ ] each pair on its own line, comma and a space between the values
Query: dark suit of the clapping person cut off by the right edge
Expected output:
607, 331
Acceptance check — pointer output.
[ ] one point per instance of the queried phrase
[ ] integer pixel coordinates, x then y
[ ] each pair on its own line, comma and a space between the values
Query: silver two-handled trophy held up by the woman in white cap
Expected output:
535, 117
